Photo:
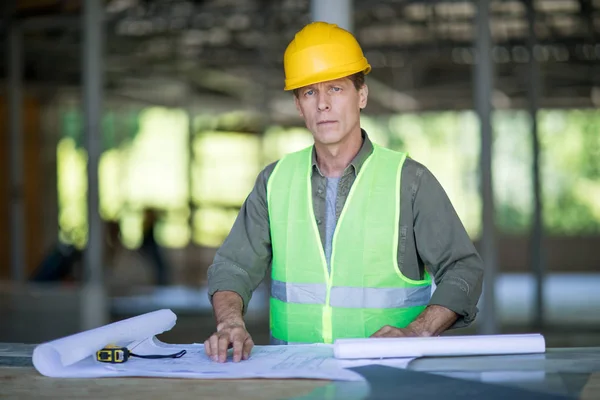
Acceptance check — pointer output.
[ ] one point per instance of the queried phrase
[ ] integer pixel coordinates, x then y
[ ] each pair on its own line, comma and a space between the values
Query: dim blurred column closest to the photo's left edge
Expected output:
15, 122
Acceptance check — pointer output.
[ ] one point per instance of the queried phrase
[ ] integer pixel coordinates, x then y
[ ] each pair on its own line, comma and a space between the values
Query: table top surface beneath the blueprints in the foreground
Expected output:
559, 373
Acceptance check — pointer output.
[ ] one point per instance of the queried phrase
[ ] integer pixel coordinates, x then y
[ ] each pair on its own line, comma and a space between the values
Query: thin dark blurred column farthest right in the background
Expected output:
537, 259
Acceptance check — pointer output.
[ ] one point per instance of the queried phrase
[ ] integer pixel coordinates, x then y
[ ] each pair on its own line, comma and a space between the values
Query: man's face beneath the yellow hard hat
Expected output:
331, 110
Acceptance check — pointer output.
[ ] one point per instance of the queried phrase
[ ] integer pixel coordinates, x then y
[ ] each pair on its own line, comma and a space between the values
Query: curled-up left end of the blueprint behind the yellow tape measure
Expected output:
55, 358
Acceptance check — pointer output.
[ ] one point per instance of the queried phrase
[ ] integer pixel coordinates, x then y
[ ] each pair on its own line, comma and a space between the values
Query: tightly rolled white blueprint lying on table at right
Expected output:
475, 345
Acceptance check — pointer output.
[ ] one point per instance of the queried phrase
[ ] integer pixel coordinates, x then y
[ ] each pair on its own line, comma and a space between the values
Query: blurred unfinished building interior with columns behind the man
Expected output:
133, 130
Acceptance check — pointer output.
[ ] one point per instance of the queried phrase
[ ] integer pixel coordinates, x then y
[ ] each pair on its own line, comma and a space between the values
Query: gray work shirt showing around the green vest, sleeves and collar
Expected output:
431, 236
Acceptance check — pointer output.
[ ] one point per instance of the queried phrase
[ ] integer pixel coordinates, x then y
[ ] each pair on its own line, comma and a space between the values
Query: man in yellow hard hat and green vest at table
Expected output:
352, 231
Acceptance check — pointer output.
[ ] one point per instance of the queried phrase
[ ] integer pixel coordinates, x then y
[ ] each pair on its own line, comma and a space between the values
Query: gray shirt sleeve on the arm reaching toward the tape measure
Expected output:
240, 264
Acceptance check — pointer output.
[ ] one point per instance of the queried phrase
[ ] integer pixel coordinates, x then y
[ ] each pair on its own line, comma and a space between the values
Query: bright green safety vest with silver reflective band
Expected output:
365, 289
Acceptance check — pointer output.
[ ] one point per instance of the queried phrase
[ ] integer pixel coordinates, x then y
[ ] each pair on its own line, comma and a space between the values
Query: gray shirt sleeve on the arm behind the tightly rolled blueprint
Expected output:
447, 251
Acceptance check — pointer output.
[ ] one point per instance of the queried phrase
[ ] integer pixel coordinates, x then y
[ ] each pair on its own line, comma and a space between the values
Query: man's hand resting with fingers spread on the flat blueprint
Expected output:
229, 334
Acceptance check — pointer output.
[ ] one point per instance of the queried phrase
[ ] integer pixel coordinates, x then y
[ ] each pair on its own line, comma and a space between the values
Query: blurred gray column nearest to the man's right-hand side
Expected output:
483, 104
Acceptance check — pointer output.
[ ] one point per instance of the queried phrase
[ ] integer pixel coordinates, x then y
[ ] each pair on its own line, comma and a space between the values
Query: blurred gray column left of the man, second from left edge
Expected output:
94, 301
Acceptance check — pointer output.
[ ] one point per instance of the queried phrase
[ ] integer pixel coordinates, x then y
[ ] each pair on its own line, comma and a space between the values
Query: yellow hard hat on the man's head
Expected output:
322, 52
